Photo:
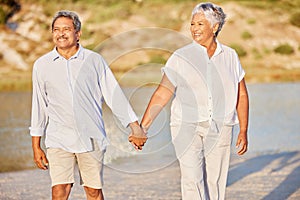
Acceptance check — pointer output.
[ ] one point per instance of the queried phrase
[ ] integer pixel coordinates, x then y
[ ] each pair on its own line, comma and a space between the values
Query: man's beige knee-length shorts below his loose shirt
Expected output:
90, 164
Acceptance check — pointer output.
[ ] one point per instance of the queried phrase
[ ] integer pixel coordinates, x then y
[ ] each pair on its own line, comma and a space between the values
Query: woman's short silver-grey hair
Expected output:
213, 13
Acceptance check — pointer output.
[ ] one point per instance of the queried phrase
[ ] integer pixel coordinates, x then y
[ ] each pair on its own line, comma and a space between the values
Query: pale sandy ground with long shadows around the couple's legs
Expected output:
274, 176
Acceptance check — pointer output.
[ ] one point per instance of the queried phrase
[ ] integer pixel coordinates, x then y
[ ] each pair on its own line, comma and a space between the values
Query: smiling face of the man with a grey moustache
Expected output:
64, 34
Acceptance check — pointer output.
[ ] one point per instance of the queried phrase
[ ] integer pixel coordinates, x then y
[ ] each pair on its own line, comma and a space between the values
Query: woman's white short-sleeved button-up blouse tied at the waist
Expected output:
206, 88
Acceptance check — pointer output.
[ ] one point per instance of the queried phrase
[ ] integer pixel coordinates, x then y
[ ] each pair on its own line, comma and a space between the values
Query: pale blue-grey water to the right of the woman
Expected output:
274, 117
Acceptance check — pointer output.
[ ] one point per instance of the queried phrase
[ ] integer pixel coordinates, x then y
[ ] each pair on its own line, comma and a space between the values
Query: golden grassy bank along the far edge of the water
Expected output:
132, 78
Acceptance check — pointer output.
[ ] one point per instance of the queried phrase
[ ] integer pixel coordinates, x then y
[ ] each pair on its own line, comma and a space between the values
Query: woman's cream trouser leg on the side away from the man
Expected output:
217, 164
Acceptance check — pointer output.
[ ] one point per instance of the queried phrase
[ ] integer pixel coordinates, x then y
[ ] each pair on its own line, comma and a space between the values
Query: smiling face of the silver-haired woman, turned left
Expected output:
201, 29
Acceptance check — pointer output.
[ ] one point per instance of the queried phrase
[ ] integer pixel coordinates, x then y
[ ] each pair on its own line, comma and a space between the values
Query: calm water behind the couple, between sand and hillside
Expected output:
274, 127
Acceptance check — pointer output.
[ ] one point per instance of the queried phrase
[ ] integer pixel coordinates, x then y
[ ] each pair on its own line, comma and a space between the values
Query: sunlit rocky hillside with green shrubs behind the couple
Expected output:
254, 31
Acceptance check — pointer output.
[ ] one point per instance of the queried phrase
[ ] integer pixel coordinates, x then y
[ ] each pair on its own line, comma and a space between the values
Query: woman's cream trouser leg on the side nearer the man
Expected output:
189, 151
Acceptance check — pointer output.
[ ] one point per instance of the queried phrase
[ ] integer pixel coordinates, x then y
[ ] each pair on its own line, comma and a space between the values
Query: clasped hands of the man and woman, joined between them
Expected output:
137, 136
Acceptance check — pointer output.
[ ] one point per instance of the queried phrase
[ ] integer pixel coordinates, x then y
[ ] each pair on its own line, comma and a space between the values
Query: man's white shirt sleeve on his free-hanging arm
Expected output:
38, 111
